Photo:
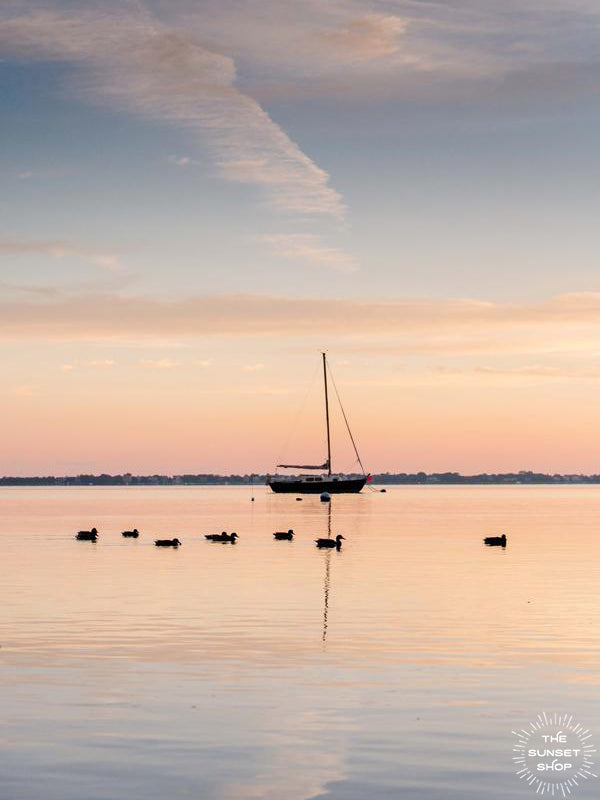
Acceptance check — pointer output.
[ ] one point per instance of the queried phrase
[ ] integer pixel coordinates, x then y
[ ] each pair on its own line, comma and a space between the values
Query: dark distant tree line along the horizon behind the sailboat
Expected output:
211, 479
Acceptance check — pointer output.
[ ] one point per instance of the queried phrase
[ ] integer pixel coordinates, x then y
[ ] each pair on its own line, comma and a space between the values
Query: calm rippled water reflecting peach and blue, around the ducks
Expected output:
396, 668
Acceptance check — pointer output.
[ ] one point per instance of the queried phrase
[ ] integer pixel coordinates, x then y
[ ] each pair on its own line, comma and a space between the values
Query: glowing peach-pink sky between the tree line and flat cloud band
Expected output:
168, 416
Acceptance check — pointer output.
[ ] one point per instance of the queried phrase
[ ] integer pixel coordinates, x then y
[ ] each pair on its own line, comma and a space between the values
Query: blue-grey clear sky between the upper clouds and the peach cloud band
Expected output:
442, 199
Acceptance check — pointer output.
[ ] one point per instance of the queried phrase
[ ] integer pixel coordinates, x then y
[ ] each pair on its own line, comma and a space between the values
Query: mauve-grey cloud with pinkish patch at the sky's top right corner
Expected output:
425, 51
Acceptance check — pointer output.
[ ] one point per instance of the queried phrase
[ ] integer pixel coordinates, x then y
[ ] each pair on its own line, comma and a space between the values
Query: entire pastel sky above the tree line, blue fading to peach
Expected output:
200, 196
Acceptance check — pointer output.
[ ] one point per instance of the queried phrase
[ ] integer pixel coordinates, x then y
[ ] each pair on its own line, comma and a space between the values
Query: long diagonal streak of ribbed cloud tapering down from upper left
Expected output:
141, 65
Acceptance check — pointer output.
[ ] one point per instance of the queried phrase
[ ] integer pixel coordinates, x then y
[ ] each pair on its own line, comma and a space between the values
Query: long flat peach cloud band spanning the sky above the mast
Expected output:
565, 323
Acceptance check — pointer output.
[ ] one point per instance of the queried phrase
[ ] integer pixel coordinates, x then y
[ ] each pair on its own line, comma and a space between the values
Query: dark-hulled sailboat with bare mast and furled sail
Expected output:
327, 481
